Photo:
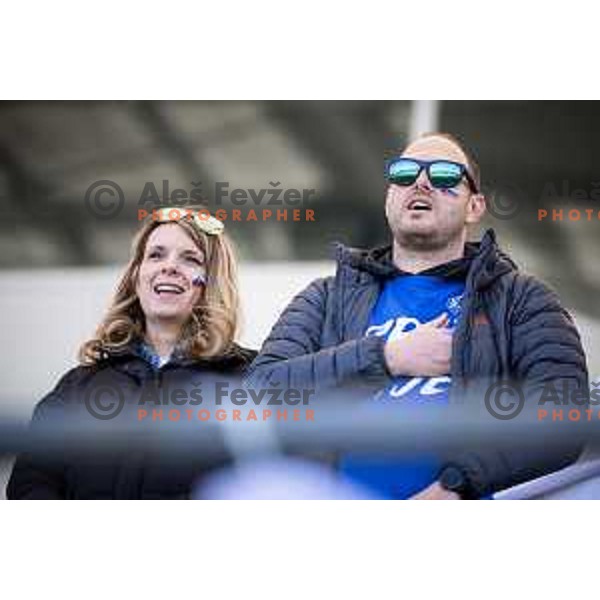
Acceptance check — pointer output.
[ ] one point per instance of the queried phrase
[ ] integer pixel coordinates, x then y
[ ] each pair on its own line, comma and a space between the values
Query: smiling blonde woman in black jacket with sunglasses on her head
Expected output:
172, 321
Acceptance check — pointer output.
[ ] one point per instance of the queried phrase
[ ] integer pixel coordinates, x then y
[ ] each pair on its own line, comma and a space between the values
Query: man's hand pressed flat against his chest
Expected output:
422, 352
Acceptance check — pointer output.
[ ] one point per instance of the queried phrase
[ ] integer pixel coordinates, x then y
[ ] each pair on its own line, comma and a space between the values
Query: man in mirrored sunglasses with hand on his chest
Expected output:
418, 322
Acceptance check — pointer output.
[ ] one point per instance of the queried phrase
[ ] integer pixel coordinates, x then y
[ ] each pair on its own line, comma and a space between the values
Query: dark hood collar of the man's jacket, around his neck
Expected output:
483, 261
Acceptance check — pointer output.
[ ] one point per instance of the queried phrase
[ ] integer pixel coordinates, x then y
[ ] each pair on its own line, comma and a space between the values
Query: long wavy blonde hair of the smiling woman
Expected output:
213, 324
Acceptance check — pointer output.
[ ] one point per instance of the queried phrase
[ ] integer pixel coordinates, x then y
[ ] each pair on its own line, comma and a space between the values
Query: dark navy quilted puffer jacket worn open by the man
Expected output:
511, 327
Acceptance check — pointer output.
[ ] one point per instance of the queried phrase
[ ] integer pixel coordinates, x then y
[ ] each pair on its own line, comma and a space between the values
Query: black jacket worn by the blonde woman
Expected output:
119, 469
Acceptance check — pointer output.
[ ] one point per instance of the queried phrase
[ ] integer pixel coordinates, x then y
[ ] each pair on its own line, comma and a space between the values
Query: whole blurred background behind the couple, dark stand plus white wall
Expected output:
59, 261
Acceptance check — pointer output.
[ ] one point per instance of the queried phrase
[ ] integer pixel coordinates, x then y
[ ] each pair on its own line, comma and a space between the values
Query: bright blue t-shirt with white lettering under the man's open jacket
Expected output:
406, 302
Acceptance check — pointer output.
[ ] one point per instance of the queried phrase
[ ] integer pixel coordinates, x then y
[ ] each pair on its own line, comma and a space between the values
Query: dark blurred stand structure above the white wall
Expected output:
52, 152
